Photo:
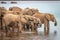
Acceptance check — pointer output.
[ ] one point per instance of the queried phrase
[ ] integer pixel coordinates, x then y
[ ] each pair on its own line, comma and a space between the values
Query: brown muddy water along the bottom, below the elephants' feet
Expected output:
27, 36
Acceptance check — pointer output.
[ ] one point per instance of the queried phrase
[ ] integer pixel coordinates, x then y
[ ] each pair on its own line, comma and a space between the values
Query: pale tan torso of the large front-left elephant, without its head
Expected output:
10, 17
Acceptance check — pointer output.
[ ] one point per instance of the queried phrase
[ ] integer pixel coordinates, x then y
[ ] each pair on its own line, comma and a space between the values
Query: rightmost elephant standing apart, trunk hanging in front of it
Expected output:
45, 18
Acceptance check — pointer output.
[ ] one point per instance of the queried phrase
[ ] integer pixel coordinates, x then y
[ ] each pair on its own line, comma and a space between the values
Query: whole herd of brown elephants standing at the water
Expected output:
24, 19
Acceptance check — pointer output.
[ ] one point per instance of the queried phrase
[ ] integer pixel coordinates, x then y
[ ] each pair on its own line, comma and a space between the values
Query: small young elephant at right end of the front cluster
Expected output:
35, 23
